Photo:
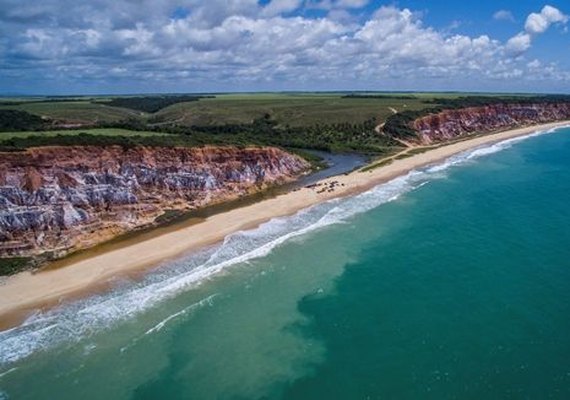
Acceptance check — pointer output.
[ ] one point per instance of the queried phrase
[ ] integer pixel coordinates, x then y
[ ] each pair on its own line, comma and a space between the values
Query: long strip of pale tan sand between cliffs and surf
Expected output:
26, 292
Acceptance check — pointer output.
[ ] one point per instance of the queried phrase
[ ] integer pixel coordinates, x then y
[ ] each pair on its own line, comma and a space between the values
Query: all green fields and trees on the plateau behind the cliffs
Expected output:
339, 122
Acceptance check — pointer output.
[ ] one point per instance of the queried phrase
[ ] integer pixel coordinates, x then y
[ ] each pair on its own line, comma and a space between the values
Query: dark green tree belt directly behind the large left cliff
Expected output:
264, 131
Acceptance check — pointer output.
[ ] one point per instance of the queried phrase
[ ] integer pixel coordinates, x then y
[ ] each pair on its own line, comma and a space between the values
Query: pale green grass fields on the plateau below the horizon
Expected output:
294, 109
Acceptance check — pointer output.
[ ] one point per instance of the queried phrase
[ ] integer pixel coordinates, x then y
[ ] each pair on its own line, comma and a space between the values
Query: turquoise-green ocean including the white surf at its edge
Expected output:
452, 282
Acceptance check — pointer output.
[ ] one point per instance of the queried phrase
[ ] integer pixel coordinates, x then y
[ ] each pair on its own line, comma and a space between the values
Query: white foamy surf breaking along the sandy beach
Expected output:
82, 319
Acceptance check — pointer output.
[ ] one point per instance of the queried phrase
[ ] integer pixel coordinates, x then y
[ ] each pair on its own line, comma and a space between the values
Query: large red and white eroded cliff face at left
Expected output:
57, 199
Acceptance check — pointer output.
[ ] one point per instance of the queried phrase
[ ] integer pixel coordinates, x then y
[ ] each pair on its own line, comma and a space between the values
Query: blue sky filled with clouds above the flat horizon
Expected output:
62, 47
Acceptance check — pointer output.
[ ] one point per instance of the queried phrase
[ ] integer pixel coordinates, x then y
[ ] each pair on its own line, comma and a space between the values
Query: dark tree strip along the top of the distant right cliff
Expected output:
399, 125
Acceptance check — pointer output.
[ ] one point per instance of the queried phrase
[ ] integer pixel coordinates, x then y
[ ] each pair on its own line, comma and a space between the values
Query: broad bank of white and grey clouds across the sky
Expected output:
238, 43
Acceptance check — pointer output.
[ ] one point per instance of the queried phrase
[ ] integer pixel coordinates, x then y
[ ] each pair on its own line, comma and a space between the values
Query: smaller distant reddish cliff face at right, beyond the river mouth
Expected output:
450, 124
